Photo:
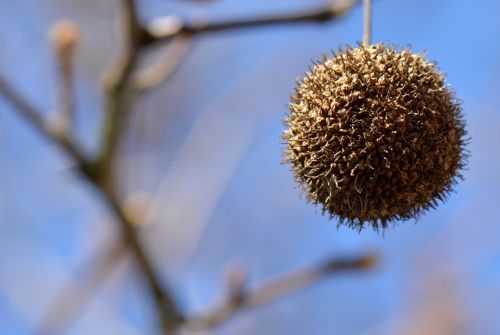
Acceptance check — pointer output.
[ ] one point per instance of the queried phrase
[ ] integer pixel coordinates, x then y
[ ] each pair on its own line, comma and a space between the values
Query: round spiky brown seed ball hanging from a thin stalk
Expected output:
374, 135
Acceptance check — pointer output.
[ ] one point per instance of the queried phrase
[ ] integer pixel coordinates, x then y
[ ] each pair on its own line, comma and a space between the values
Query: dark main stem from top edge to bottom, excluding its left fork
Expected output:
119, 101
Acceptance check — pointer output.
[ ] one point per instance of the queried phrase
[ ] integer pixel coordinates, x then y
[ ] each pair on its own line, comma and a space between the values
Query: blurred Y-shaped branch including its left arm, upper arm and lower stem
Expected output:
96, 174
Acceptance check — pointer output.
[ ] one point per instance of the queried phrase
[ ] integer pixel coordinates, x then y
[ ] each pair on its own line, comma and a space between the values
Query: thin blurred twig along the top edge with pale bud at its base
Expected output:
165, 29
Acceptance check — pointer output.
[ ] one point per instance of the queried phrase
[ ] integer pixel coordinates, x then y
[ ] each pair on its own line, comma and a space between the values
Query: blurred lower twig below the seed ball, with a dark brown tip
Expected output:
283, 286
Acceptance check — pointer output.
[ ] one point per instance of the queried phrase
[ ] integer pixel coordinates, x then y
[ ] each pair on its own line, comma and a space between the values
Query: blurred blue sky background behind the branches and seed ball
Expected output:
205, 148
